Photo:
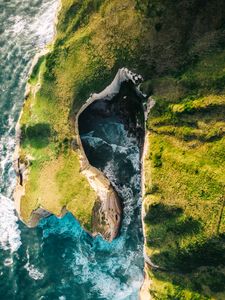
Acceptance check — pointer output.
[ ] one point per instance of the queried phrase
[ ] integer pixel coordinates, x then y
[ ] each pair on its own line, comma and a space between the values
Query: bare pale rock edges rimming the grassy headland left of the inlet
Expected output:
109, 207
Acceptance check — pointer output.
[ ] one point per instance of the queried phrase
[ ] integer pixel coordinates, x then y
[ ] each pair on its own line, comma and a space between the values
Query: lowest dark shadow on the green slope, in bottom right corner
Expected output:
198, 265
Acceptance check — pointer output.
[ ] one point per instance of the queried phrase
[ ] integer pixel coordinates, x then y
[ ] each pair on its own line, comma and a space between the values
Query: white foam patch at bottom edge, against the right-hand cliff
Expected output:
106, 284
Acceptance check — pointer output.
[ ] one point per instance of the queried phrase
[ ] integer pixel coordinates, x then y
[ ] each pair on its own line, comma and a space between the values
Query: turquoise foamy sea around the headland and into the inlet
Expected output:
58, 260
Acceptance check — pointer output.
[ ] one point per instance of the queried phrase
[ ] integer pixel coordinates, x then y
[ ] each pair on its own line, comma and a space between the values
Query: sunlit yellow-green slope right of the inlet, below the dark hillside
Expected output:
185, 187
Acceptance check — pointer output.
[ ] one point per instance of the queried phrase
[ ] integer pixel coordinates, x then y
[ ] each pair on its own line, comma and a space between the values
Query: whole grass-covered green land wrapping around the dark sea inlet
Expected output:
179, 48
